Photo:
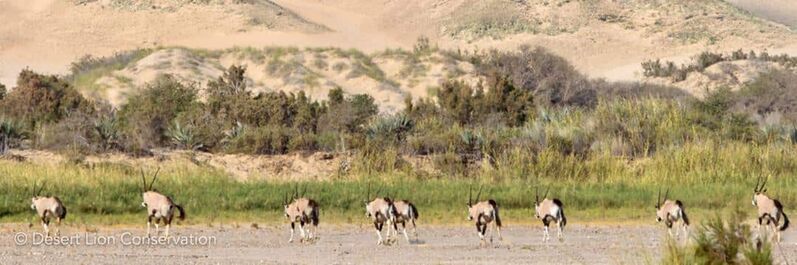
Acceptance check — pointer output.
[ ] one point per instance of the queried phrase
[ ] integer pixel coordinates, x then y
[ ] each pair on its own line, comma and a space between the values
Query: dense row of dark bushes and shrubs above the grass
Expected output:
531, 108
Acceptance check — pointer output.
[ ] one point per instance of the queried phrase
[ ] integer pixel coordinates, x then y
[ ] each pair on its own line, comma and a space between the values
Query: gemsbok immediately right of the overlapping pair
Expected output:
484, 213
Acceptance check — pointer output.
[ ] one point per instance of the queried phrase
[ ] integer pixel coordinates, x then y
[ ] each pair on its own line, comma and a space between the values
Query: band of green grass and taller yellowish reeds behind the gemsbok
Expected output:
708, 178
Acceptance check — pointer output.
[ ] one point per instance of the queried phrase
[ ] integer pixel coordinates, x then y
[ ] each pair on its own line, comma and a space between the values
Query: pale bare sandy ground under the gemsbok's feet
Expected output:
602, 244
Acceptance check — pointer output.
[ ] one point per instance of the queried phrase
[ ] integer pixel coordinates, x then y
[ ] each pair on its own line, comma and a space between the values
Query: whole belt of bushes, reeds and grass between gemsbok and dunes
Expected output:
603, 148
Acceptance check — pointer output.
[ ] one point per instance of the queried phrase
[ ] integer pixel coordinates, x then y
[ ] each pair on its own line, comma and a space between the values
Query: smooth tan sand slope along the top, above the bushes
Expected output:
602, 39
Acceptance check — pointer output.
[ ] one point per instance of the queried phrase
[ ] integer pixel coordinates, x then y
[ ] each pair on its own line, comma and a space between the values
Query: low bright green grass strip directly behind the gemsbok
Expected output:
93, 192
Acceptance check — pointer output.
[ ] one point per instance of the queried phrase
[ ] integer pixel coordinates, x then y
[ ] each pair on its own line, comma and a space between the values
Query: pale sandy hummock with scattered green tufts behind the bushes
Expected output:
388, 76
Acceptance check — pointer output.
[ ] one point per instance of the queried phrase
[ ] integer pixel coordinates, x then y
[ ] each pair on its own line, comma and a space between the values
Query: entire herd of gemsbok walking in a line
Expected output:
385, 212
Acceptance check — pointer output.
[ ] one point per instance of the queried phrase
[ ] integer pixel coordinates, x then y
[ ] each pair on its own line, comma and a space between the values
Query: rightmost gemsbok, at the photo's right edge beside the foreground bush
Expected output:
769, 210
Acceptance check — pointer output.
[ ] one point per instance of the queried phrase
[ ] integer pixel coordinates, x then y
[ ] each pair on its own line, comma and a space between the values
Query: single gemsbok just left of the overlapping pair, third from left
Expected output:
304, 211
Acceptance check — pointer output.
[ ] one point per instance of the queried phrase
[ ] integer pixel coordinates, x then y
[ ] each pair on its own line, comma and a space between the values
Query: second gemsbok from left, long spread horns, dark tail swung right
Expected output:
159, 207
